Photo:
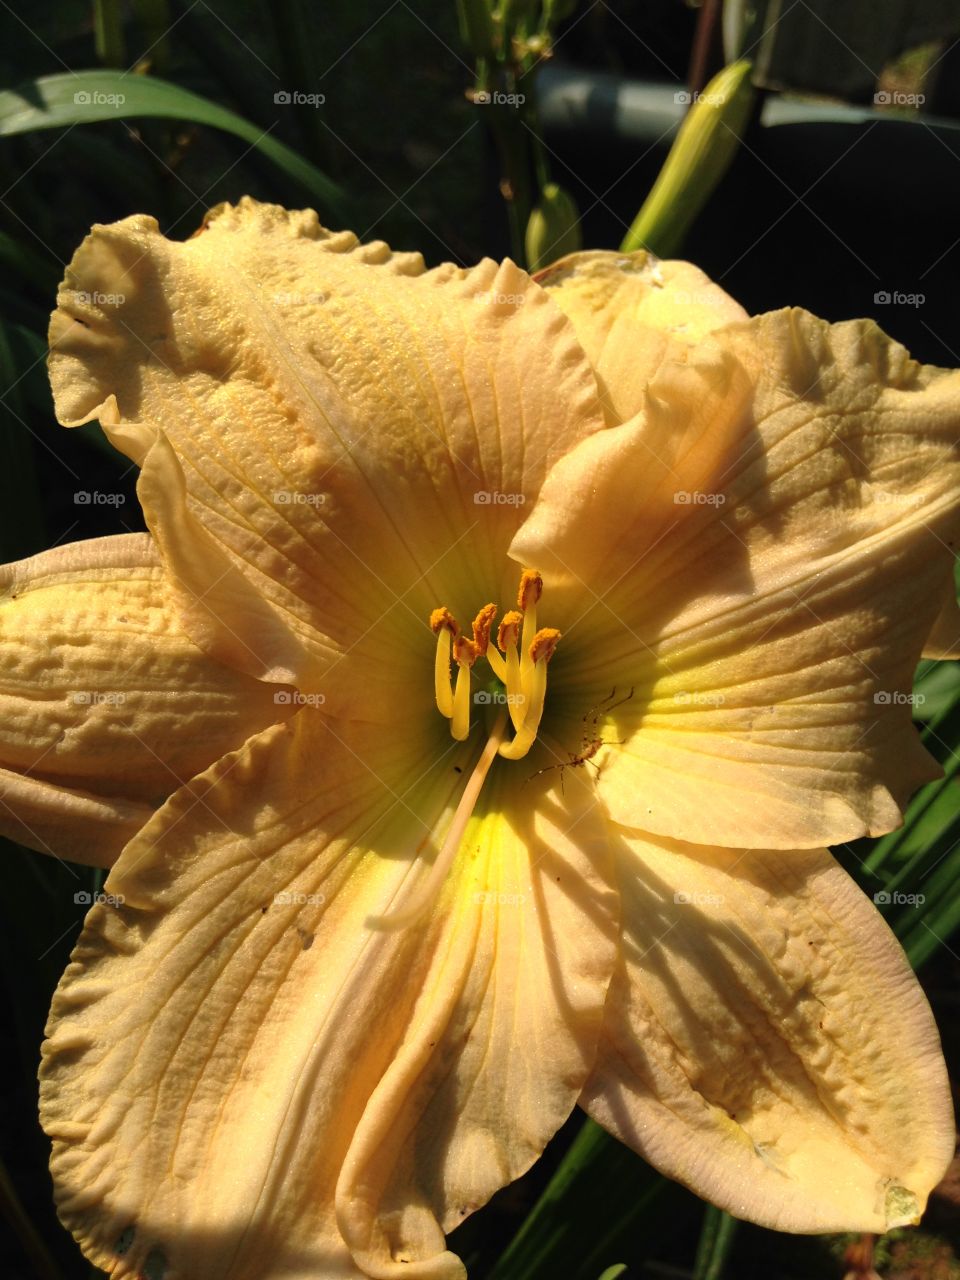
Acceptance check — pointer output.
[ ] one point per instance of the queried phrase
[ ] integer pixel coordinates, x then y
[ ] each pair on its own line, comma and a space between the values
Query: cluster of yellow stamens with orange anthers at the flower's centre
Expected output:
519, 661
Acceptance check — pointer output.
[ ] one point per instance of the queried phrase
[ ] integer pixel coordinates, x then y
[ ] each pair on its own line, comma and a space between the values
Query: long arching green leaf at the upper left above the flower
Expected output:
90, 98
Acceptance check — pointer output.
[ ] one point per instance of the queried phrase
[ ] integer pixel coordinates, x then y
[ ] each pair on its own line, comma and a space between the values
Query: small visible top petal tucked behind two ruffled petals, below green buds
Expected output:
632, 312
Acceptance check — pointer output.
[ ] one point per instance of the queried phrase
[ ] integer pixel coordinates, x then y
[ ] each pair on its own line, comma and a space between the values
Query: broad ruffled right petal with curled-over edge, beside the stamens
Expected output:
770, 637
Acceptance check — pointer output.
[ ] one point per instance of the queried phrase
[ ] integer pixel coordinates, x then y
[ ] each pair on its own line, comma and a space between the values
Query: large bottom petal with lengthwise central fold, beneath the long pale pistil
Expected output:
380, 1085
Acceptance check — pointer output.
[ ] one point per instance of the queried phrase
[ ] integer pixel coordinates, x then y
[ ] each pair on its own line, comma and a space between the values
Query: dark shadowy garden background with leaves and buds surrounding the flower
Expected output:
843, 196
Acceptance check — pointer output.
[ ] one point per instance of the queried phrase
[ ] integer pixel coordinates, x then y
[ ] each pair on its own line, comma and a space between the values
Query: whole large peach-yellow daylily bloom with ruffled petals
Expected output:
500, 662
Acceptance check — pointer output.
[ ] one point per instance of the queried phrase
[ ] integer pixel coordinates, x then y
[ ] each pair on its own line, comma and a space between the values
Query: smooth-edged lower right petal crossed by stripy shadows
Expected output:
766, 1043
